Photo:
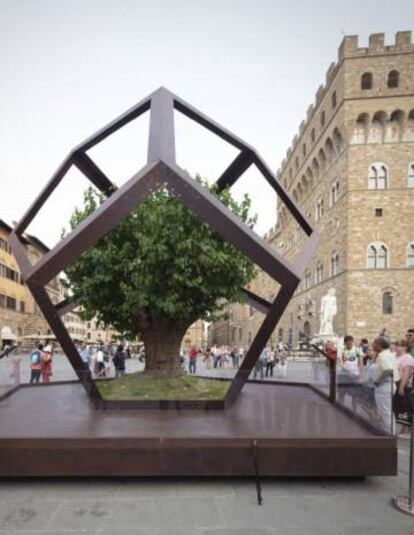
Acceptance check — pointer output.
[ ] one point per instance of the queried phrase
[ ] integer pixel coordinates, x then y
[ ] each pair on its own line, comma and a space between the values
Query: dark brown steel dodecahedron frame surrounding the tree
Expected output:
161, 168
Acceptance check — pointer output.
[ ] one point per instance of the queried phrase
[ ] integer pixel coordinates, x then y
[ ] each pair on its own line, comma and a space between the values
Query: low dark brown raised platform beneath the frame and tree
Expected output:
53, 430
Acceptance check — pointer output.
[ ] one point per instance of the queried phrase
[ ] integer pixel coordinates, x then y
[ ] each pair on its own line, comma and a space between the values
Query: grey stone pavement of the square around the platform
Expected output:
201, 506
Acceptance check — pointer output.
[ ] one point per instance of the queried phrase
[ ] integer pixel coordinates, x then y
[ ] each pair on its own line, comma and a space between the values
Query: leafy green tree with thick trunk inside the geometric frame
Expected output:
158, 271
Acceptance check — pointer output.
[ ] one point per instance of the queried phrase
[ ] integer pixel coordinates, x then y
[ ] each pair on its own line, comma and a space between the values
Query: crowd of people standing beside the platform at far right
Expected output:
380, 375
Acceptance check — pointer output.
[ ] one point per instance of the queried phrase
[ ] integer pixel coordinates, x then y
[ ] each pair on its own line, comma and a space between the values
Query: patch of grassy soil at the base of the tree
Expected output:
143, 386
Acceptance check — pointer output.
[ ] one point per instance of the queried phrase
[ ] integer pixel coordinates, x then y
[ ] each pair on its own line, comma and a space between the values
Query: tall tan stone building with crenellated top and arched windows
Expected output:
351, 169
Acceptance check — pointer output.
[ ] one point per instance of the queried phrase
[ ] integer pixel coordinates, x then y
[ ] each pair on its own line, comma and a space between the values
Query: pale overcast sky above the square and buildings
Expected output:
68, 67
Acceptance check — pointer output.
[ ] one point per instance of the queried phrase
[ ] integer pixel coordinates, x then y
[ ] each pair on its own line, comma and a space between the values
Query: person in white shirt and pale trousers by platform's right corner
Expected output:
385, 374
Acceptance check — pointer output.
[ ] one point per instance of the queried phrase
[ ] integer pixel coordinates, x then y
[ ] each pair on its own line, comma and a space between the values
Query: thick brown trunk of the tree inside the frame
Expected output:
162, 342
